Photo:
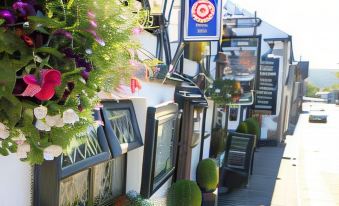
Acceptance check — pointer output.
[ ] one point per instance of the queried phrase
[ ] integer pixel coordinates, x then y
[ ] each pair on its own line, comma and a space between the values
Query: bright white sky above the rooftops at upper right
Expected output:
314, 26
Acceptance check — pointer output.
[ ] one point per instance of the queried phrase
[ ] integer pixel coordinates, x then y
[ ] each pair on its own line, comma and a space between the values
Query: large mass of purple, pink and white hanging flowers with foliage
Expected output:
55, 56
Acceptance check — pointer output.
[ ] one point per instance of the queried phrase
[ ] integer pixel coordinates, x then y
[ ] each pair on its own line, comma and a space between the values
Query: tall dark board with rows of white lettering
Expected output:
267, 85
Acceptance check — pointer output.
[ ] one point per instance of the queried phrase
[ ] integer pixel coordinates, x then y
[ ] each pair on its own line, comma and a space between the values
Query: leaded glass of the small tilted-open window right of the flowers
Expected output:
122, 125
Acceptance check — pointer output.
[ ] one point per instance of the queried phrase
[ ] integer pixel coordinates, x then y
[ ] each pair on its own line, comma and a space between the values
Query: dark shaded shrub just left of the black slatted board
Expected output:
218, 142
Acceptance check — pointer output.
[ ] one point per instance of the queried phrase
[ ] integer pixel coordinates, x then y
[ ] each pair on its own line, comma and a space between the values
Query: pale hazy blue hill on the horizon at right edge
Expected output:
323, 77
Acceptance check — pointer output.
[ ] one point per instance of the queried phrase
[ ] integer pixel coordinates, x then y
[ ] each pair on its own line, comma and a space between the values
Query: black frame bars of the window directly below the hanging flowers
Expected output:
49, 175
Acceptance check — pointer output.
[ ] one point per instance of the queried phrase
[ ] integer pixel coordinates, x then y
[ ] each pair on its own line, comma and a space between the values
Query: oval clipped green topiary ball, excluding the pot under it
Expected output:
207, 175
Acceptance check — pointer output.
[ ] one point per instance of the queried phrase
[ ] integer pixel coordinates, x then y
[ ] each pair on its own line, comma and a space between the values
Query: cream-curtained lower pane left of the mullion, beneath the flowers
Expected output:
74, 190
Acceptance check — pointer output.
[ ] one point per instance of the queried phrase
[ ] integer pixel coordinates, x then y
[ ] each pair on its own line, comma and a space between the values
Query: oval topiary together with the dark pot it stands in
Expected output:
208, 179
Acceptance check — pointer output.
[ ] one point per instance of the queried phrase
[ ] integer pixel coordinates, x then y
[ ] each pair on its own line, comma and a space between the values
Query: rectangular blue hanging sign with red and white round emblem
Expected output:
202, 20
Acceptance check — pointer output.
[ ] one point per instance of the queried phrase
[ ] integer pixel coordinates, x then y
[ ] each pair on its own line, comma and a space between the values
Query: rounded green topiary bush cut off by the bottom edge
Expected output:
184, 193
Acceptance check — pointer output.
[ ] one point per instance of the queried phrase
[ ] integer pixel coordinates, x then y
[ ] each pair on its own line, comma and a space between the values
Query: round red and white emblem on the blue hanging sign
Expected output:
203, 11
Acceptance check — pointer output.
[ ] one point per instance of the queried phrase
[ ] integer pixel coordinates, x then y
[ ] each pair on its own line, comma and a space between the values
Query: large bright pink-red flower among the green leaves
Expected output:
43, 89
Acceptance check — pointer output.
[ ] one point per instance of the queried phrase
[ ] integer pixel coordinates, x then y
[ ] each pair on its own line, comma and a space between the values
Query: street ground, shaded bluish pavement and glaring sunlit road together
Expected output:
303, 172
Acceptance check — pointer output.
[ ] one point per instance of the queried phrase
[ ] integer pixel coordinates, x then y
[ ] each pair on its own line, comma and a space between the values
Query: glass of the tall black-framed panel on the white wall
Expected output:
164, 150
